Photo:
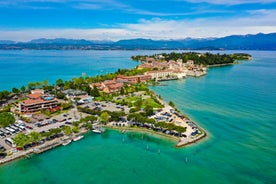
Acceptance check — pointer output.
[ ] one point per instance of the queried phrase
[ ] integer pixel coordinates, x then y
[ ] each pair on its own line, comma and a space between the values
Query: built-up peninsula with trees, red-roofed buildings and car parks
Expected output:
41, 116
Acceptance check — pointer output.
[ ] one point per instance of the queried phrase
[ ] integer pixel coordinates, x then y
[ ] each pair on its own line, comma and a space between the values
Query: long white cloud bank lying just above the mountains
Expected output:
257, 21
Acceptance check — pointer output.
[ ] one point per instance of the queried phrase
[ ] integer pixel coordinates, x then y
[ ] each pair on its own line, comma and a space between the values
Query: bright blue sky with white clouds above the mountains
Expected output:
24, 20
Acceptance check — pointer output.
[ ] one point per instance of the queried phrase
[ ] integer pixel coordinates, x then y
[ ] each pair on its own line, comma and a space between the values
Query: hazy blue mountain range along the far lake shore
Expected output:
234, 42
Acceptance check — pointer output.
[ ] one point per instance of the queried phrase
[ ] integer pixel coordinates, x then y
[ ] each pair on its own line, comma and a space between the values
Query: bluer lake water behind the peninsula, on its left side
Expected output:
21, 67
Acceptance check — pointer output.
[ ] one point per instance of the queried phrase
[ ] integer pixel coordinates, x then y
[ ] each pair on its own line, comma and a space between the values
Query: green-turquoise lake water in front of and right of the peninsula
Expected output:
235, 104
